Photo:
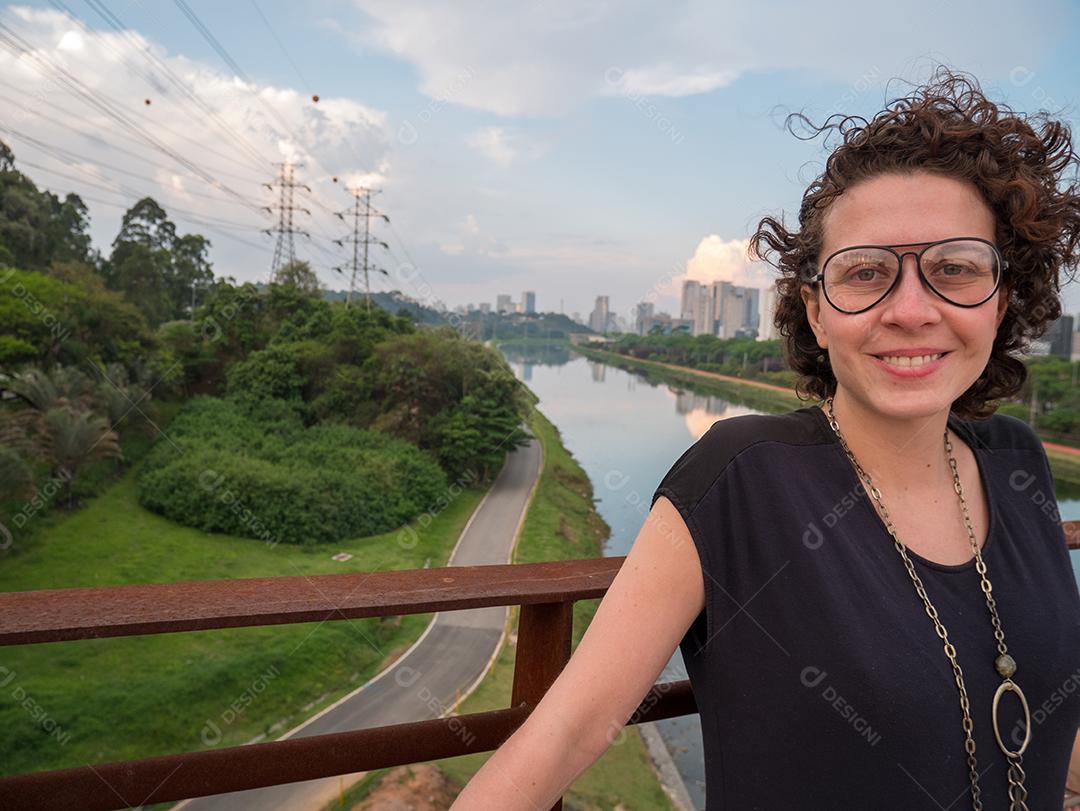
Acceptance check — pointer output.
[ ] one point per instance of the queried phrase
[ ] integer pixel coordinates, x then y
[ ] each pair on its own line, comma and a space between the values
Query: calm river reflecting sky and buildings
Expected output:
626, 431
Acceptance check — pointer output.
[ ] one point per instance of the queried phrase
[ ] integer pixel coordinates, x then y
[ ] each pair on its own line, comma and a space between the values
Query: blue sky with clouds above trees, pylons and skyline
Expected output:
573, 150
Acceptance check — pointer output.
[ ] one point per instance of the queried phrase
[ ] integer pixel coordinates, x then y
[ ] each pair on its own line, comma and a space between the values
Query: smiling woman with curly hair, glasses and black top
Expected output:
861, 587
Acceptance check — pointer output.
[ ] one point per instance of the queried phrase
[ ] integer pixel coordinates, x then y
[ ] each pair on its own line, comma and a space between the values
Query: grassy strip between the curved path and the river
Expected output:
561, 524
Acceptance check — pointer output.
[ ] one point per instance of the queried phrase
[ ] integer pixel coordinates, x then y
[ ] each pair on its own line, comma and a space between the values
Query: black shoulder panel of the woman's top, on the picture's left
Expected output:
706, 461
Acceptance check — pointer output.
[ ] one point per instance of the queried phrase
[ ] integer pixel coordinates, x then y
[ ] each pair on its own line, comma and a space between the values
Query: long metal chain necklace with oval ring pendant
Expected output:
1005, 664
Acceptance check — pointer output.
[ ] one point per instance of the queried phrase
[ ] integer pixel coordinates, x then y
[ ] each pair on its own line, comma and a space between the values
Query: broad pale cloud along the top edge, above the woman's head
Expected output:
547, 59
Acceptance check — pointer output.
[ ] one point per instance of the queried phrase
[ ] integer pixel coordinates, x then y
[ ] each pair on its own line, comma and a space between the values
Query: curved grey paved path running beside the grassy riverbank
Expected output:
444, 666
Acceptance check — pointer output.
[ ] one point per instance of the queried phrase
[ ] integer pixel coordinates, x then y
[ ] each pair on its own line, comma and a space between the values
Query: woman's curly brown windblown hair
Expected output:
949, 127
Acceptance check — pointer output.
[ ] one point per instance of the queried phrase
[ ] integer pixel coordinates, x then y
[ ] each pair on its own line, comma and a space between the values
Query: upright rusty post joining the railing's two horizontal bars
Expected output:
544, 648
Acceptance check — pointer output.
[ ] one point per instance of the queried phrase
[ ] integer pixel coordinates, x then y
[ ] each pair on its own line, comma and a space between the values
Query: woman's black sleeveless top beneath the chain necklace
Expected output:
819, 677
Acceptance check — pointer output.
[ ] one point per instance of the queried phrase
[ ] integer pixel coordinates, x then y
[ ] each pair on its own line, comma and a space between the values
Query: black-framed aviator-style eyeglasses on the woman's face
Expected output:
965, 272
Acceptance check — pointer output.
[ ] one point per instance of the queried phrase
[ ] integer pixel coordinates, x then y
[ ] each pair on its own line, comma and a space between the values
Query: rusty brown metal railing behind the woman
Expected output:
546, 592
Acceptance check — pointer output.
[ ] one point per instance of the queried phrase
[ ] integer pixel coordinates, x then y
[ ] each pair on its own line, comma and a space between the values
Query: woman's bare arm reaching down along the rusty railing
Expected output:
654, 599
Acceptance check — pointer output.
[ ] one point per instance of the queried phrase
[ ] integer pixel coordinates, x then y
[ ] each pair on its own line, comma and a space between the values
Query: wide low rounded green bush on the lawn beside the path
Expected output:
252, 469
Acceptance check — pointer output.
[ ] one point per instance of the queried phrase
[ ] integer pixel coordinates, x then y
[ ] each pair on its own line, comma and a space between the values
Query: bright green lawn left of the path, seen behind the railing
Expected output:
138, 697
